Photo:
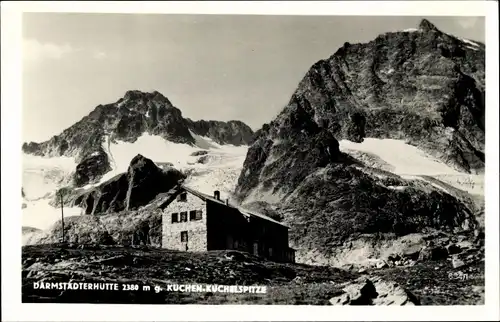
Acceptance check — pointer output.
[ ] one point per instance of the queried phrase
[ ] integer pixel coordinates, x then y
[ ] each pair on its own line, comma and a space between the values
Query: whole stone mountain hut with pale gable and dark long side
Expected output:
194, 221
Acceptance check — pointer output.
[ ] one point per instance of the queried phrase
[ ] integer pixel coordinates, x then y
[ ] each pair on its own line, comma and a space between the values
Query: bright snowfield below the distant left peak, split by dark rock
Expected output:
217, 170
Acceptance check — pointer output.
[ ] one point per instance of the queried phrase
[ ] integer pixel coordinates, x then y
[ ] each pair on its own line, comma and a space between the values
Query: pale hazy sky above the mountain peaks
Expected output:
210, 67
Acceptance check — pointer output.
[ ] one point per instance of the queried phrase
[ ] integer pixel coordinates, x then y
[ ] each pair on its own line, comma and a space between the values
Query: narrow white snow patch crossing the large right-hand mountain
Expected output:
410, 162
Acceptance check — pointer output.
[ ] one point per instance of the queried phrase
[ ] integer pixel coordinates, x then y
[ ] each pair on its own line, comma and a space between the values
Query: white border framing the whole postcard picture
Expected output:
13, 309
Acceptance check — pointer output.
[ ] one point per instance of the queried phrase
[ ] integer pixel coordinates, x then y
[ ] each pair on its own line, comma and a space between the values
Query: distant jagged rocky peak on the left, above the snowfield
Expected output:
126, 120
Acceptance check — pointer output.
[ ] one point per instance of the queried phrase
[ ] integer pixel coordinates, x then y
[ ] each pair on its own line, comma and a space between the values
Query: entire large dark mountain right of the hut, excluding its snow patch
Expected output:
424, 87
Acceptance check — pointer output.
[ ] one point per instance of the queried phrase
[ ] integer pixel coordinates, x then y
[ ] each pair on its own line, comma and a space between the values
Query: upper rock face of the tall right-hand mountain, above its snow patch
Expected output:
423, 86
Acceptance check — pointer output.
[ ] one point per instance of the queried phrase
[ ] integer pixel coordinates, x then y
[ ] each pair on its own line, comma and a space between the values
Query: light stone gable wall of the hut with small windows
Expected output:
196, 229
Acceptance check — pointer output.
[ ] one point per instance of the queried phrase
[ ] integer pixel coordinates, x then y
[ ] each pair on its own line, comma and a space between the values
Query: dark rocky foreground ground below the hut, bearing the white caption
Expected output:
426, 283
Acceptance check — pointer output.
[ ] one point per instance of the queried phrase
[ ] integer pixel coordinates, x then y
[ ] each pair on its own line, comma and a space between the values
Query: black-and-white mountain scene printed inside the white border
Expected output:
251, 159
